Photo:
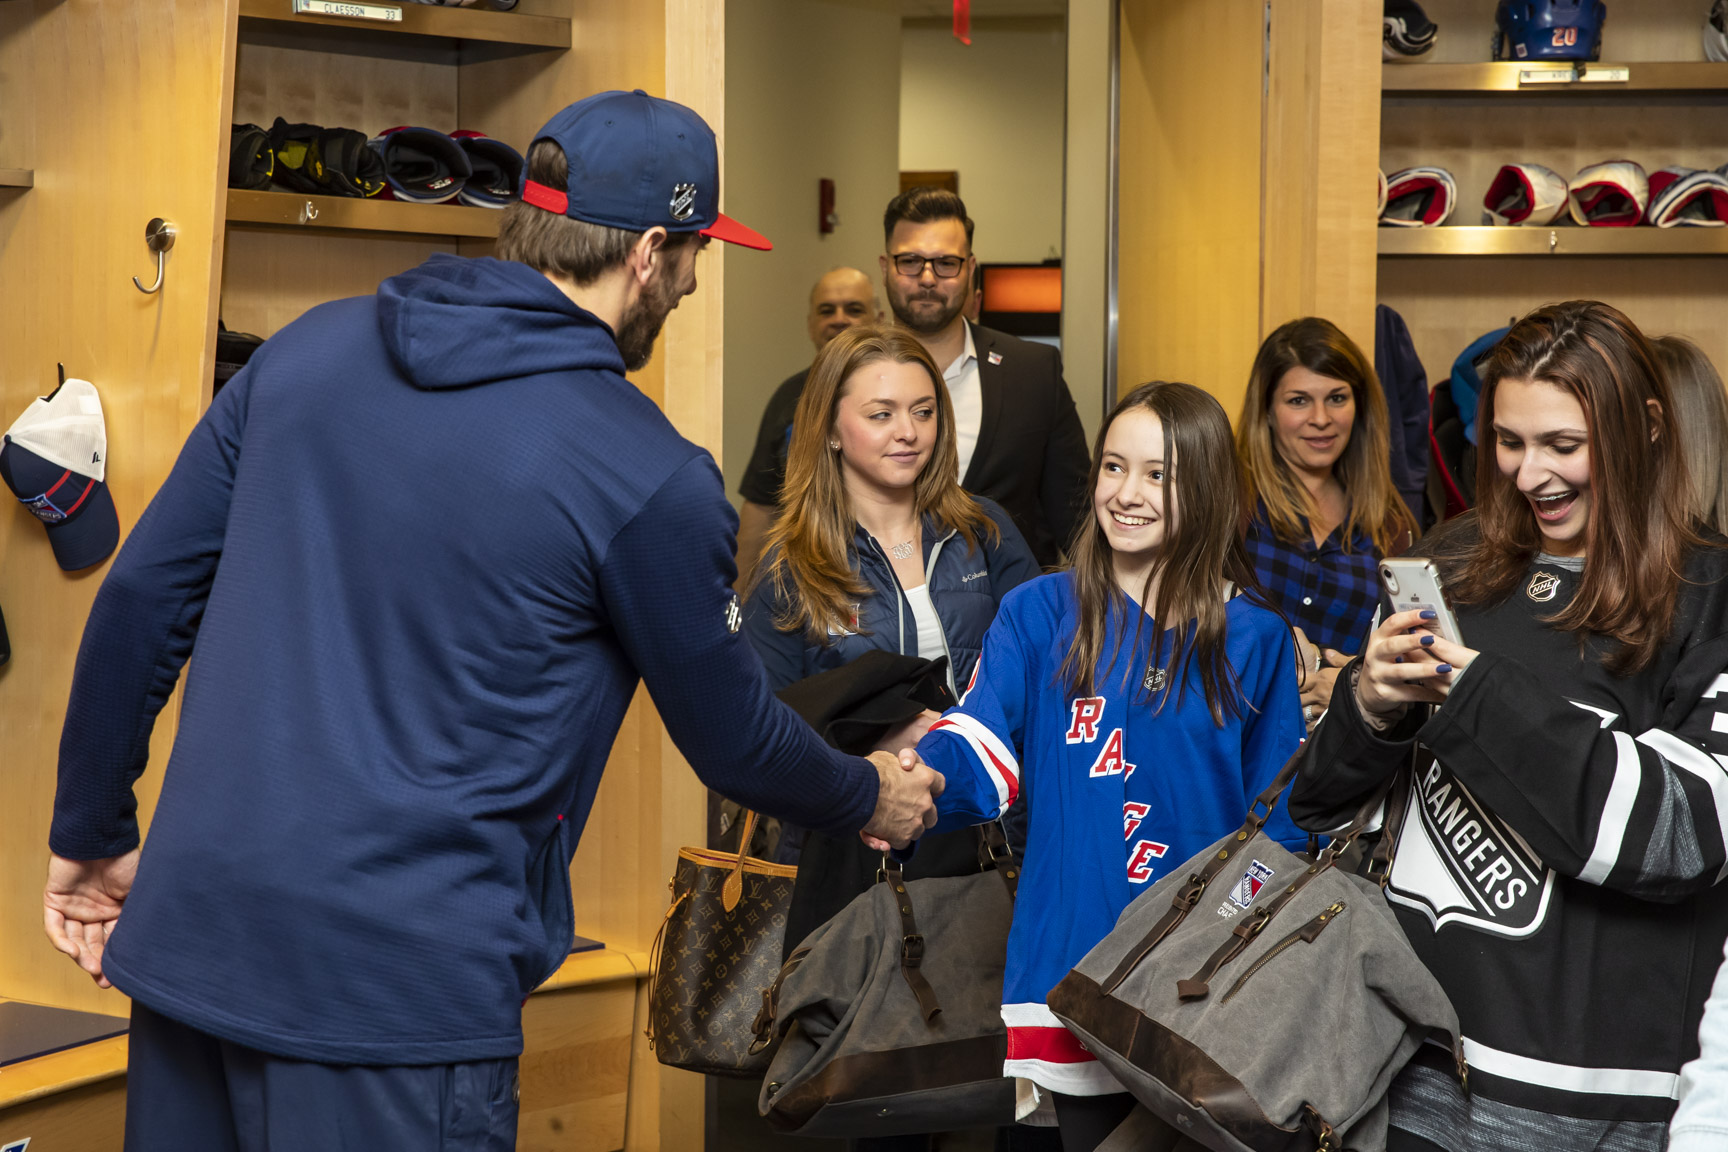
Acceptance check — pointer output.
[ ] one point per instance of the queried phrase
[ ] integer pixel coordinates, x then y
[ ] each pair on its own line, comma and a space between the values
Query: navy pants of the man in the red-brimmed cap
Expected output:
189, 1091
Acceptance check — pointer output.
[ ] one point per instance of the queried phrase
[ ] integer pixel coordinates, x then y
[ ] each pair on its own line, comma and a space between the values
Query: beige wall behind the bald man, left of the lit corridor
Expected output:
811, 92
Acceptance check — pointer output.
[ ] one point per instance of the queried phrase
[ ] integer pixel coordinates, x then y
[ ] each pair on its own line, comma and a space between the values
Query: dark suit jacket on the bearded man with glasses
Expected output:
1032, 455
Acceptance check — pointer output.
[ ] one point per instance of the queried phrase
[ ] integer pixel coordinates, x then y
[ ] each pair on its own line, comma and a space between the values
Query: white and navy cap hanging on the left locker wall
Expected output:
54, 459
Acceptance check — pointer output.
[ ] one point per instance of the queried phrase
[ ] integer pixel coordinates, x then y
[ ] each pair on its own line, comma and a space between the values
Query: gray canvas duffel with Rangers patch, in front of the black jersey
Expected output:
1261, 1001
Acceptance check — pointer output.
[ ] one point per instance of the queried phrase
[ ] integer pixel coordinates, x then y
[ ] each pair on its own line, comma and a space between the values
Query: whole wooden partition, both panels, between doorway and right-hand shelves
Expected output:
1247, 182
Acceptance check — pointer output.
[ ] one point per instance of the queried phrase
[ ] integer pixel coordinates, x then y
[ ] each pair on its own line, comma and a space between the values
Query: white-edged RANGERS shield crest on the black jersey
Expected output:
1459, 864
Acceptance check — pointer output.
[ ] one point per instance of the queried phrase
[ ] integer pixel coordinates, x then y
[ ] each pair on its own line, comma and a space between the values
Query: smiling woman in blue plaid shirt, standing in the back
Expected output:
1314, 448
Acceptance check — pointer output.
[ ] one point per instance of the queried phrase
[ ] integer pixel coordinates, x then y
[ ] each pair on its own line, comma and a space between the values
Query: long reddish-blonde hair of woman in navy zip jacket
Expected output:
810, 548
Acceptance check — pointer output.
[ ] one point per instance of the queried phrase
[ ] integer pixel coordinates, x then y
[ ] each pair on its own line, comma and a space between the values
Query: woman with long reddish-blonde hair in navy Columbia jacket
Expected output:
877, 547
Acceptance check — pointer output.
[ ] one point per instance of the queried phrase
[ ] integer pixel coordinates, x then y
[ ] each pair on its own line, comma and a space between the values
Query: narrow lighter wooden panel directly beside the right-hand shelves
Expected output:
1321, 127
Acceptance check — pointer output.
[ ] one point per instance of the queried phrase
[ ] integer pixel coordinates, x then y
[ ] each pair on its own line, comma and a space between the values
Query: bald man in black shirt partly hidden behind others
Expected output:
842, 300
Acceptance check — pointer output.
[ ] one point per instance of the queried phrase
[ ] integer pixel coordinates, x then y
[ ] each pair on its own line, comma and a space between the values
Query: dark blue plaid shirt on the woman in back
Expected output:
1326, 592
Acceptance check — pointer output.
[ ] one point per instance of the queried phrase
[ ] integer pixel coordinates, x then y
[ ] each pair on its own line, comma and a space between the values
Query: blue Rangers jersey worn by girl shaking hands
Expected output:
1119, 792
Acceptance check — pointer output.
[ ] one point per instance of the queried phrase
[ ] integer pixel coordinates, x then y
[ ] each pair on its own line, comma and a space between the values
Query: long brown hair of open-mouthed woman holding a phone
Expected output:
1641, 514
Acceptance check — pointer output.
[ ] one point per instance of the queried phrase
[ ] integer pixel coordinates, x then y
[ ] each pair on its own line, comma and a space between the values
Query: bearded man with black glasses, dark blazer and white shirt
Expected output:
1019, 433
